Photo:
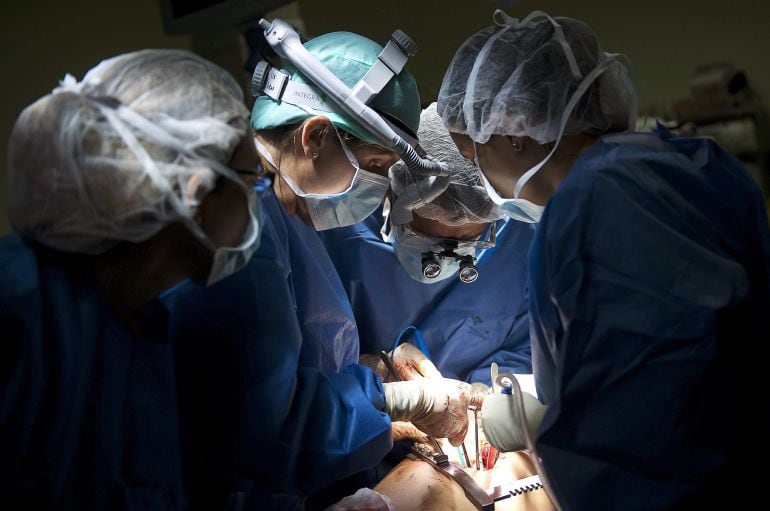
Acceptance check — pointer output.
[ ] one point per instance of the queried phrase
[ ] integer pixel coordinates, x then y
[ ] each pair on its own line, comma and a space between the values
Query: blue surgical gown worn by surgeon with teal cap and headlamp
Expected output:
270, 391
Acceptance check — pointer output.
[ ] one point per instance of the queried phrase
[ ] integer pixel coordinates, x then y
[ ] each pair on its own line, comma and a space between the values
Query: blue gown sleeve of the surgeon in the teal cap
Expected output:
252, 409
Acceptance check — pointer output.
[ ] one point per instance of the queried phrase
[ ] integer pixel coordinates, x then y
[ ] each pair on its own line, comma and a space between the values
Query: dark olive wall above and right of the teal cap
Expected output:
663, 39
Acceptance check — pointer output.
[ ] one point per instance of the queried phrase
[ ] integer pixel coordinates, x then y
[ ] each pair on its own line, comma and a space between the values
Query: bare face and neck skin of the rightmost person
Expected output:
503, 166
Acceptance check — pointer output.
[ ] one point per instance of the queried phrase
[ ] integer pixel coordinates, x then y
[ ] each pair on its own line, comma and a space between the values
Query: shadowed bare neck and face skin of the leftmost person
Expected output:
131, 274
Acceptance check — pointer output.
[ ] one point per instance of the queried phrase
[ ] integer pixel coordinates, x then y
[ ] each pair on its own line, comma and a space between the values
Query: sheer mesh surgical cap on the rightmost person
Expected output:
516, 78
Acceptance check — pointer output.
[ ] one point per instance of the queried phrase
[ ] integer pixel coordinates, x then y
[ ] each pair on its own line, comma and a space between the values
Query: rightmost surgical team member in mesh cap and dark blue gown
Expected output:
649, 271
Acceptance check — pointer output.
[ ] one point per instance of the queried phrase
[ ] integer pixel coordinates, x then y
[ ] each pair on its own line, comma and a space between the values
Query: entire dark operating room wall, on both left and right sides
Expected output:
664, 40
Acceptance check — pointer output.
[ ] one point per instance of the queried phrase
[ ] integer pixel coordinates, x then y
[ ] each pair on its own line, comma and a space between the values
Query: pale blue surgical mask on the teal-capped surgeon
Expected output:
328, 211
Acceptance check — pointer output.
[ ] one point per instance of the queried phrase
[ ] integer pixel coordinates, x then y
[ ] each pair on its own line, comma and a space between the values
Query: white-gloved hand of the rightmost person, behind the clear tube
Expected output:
502, 425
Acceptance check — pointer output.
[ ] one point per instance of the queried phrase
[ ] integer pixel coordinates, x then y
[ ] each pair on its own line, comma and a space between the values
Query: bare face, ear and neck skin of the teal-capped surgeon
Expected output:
329, 172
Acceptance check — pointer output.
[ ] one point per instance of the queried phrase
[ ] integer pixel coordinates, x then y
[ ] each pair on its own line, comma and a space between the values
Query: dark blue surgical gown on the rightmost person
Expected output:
650, 310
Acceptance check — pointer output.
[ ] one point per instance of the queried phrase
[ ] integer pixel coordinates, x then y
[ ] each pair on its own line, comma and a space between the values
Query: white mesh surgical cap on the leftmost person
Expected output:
132, 147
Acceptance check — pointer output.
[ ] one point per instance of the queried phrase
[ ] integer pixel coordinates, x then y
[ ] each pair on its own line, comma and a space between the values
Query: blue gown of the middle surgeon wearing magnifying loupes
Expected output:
466, 326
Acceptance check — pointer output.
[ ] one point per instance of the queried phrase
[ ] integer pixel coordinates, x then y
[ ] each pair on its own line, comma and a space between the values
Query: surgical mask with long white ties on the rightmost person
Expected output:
523, 209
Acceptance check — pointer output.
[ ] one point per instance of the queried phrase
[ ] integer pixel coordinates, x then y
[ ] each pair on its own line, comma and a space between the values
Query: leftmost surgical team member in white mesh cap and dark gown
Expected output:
121, 185
